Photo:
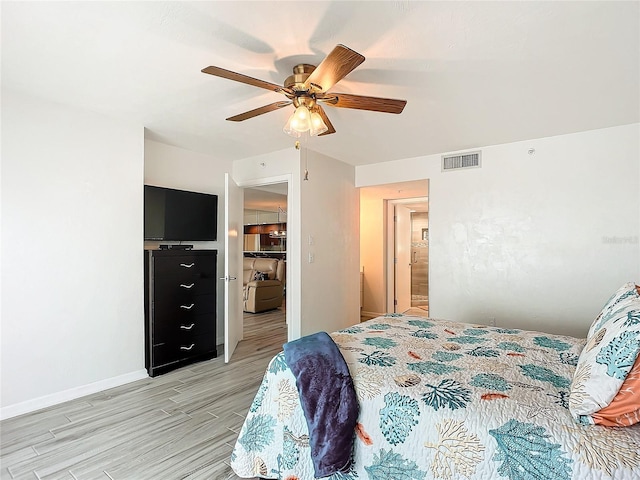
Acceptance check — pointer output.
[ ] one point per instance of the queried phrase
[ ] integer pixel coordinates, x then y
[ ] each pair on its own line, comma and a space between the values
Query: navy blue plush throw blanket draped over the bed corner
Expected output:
328, 400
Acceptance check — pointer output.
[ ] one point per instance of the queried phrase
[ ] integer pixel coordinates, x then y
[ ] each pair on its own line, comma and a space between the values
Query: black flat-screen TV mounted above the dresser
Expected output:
179, 215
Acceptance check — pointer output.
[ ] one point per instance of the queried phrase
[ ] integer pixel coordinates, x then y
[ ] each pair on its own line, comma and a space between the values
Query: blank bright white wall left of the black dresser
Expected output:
72, 278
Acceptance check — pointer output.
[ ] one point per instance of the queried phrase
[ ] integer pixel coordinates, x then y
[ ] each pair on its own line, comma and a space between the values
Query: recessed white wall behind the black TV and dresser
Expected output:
173, 167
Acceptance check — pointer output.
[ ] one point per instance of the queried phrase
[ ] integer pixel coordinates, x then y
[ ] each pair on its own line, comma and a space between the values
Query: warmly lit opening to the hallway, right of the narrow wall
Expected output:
378, 255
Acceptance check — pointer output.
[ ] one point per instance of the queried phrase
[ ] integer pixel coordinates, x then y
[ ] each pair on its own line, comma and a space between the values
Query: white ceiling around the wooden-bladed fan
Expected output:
473, 73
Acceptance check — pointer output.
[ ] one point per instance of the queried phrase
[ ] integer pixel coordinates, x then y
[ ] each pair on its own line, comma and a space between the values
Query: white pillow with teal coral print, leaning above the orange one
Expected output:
608, 356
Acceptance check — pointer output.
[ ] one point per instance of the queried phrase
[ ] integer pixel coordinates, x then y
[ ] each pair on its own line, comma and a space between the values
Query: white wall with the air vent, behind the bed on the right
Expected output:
535, 241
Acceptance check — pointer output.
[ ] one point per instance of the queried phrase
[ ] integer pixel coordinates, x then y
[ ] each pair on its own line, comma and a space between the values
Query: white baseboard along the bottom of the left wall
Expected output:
71, 394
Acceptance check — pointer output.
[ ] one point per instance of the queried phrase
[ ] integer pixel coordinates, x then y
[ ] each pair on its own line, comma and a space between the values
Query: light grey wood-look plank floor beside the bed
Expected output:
181, 425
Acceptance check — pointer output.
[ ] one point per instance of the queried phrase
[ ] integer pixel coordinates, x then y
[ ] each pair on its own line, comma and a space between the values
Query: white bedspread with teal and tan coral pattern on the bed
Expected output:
443, 400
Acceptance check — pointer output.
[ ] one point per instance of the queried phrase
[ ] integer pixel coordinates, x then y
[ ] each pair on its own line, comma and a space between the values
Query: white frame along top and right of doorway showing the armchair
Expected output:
293, 229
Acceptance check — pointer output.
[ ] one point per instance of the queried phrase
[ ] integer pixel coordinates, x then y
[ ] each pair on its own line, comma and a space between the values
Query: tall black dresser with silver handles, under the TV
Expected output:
179, 308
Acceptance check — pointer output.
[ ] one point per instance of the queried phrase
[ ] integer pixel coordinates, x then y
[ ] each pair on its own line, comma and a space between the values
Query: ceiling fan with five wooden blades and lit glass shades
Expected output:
307, 88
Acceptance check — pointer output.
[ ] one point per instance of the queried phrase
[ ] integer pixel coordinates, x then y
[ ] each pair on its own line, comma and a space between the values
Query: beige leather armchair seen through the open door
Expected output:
262, 295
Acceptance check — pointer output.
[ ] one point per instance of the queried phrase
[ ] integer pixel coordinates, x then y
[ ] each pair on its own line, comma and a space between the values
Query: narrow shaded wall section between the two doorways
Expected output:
330, 217
